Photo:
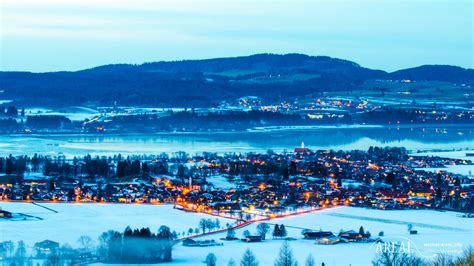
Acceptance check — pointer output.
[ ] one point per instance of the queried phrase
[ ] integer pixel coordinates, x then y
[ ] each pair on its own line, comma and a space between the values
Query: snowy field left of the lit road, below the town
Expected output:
74, 220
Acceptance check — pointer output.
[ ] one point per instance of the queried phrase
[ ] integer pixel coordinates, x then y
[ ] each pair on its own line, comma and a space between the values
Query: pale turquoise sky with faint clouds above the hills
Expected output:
52, 35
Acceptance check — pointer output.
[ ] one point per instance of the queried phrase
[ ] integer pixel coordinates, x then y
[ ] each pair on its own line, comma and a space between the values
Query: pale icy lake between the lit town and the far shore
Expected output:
347, 138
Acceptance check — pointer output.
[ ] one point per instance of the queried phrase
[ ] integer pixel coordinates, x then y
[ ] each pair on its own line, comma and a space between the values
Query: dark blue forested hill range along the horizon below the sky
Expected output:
206, 82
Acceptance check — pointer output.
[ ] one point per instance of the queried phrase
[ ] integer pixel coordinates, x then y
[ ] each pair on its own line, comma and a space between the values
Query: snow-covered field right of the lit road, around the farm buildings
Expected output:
434, 229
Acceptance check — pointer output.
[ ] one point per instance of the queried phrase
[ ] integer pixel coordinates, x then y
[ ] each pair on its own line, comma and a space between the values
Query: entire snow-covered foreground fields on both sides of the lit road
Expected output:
73, 220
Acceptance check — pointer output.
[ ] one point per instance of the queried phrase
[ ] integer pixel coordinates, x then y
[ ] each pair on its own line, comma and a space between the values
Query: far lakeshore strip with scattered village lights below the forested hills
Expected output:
249, 112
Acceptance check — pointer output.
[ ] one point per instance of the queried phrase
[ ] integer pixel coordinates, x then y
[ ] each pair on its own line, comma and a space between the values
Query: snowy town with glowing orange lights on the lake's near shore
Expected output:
244, 185
